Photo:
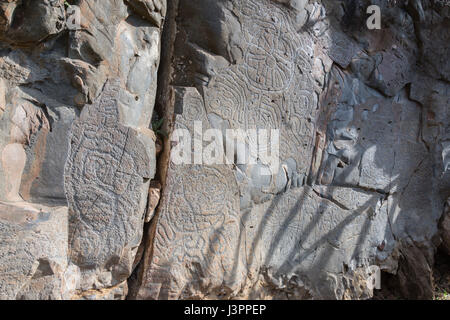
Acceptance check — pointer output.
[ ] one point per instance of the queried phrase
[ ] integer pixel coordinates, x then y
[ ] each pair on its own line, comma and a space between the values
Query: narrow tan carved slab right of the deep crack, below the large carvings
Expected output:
197, 233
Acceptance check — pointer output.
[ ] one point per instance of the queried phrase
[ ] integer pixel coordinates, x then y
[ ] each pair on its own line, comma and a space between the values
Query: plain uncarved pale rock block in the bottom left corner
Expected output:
33, 253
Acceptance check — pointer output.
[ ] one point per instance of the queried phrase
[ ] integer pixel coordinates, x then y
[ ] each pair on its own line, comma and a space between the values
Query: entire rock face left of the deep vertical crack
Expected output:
78, 86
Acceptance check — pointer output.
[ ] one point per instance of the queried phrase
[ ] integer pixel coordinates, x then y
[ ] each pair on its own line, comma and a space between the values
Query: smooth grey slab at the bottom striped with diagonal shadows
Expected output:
307, 241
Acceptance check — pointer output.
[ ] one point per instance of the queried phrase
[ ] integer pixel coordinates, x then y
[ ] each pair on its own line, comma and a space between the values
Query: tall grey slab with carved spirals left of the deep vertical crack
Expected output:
106, 179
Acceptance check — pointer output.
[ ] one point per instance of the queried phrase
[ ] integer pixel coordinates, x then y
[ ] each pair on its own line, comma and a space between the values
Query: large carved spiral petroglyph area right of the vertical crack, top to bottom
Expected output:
199, 229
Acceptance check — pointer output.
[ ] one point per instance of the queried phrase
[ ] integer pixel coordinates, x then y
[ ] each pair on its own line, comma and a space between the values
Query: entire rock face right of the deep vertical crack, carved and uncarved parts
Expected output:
361, 183
